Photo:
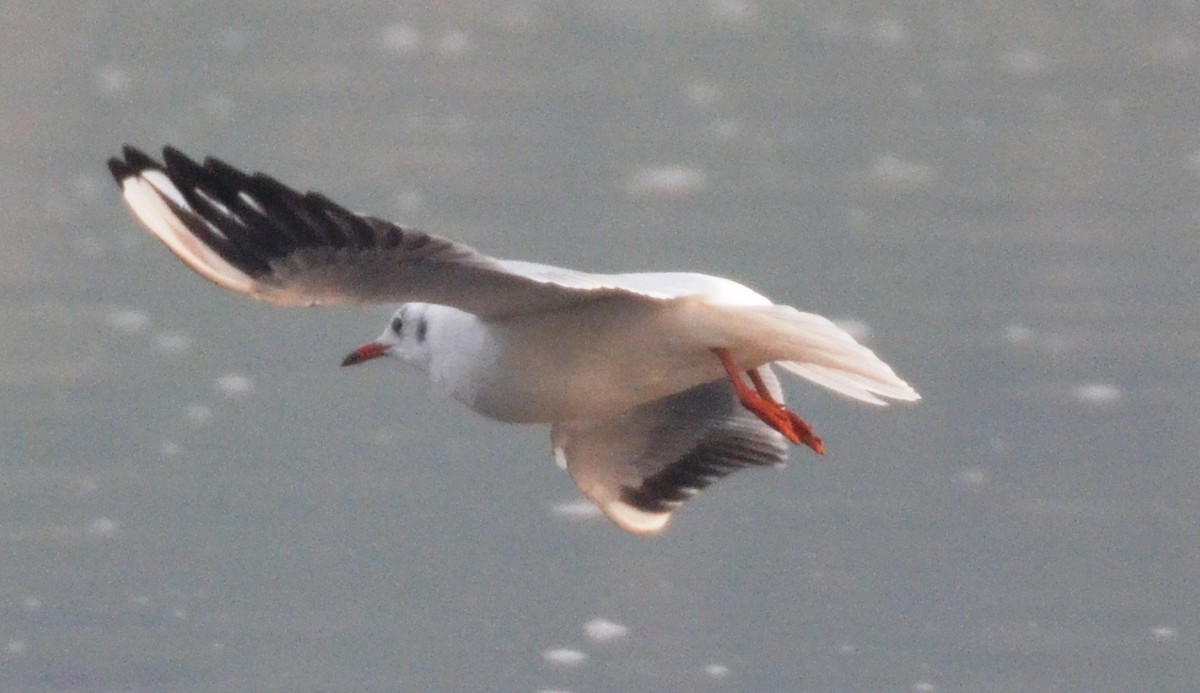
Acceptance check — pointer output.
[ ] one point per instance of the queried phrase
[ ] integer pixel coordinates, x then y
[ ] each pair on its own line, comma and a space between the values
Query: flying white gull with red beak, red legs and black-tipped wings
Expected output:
656, 385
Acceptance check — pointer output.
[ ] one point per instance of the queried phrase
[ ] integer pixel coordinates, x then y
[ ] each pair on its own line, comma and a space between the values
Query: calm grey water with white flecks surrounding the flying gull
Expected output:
1003, 198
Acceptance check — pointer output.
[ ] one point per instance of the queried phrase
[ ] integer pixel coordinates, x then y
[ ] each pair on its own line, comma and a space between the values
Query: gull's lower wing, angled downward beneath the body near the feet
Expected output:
641, 466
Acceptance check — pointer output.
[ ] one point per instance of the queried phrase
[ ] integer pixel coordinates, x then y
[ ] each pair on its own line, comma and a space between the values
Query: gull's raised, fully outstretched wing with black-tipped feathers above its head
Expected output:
255, 236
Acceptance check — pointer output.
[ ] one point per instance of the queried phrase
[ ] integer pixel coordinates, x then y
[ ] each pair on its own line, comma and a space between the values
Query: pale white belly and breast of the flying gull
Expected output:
595, 360
